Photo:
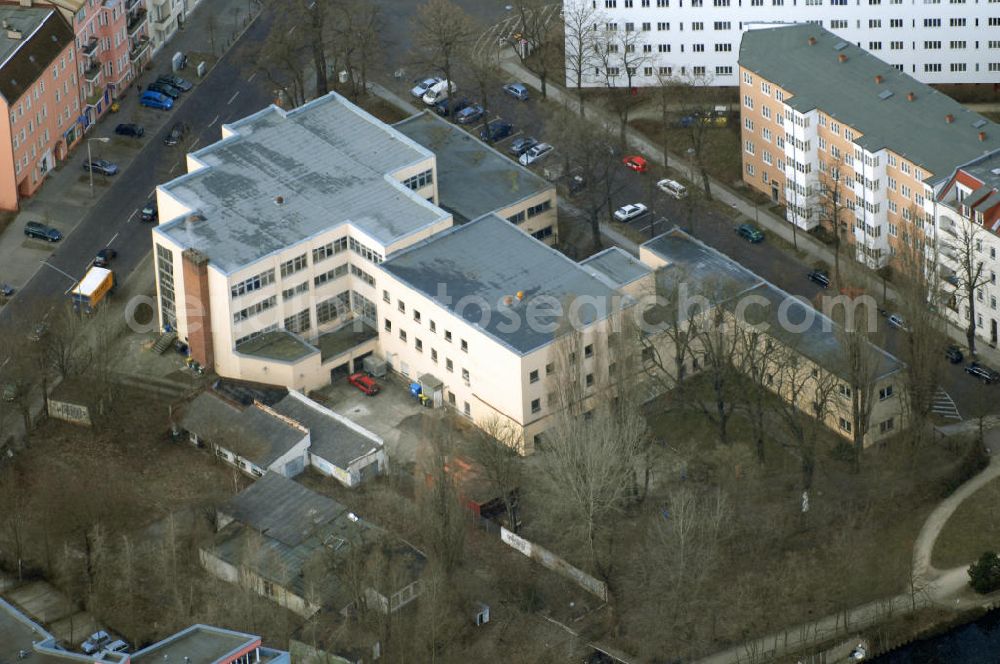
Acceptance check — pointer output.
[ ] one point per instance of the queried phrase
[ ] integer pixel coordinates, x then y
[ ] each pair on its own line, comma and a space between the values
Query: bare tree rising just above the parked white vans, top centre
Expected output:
443, 34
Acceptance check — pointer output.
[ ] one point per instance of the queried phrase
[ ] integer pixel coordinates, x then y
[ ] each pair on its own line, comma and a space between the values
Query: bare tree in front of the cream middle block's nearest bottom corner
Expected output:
495, 450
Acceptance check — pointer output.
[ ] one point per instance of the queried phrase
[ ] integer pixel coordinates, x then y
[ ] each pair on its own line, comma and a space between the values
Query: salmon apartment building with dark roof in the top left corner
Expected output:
40, 94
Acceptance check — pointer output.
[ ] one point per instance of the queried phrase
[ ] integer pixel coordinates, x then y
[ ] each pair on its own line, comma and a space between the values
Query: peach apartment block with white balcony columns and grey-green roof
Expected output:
824, 120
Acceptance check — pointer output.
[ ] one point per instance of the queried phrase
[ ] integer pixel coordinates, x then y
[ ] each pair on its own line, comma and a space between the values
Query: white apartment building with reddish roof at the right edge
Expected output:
966, 213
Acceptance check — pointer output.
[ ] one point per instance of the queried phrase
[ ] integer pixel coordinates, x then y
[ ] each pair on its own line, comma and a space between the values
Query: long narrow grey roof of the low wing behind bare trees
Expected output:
725, 283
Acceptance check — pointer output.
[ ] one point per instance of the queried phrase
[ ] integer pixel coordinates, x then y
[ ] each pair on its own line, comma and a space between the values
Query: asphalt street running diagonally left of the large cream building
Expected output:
227, 93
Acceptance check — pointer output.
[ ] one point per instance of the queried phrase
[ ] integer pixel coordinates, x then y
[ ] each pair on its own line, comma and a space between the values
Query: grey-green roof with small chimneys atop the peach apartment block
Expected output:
847, 91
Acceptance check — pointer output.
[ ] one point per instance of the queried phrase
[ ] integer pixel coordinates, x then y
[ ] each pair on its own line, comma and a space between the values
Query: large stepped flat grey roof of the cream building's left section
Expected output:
329, 164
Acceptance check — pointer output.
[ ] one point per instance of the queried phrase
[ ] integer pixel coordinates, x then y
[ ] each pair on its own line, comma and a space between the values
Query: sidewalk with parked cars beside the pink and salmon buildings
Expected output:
65, 197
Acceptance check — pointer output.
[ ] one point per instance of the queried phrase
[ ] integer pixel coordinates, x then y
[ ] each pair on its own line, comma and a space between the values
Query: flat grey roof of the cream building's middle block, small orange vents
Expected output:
472, 269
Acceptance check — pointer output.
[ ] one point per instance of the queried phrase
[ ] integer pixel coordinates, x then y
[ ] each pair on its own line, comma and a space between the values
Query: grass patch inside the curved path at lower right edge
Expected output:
972, 529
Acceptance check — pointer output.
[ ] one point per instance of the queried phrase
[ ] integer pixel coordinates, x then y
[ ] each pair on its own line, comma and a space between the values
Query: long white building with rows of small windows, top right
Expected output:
933, 41
